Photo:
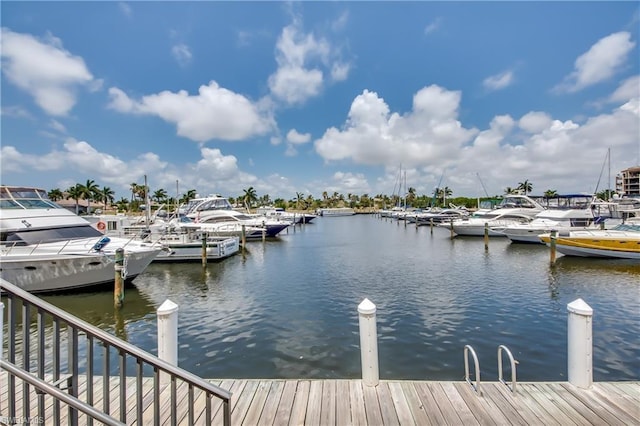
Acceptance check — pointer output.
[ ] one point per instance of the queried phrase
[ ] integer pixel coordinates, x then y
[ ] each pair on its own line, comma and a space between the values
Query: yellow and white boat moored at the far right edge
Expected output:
620, 242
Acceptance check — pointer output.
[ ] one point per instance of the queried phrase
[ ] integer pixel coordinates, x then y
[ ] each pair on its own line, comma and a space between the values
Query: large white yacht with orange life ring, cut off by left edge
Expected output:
47, 248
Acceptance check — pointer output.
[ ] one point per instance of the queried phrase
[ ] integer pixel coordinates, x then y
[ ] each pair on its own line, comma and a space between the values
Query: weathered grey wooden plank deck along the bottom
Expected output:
349, 402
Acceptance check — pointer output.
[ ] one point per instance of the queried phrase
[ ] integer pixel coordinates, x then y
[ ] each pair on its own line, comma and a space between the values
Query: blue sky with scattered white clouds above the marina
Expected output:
319, 96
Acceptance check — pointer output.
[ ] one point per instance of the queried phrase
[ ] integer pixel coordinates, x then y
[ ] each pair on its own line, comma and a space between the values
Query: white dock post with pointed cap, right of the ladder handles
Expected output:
580, 344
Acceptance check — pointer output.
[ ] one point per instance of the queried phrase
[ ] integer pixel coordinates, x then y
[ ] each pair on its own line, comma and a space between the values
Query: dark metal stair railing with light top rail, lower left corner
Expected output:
76, 326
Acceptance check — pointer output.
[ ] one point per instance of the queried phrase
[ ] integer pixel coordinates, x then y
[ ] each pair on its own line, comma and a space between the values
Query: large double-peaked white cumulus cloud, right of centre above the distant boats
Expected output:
373, 135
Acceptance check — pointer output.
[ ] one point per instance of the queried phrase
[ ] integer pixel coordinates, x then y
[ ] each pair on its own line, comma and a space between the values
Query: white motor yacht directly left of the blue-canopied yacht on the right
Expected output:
513, 209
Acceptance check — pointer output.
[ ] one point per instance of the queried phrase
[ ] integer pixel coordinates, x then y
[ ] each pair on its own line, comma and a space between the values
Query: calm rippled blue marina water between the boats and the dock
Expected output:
287, 308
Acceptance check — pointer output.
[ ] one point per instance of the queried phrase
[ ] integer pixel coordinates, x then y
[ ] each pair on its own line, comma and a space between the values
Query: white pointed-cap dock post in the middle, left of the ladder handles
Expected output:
368, 343
